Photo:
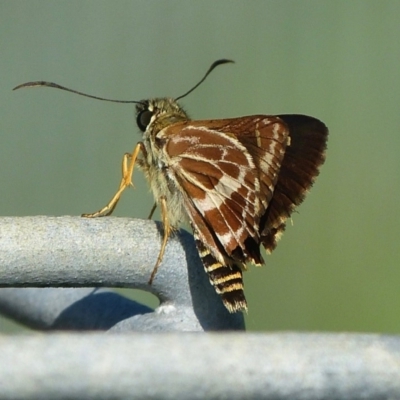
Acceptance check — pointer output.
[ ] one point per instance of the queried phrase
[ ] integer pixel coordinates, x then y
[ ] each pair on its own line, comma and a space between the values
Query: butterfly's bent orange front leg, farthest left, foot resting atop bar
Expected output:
128, 163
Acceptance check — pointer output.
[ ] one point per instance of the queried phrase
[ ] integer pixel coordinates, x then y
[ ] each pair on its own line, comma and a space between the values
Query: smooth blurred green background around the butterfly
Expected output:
337, 268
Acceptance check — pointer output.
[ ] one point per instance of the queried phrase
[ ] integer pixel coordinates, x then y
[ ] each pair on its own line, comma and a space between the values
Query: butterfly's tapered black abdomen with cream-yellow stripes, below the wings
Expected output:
226, 279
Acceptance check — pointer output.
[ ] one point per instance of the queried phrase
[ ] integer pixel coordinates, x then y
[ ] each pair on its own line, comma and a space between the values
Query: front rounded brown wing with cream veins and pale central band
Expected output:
217, 175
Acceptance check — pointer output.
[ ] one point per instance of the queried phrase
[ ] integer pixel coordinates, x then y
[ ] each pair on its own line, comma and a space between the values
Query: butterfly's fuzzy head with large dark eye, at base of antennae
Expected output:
156, 114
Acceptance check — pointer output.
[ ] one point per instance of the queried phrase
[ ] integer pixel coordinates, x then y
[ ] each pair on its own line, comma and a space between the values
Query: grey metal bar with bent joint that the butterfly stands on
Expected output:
108, 252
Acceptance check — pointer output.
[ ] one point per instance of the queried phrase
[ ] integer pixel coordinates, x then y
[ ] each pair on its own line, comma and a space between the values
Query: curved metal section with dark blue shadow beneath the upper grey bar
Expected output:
69, 309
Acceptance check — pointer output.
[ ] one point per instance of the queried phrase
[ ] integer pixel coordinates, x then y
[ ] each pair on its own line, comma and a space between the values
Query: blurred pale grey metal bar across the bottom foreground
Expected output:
207, 366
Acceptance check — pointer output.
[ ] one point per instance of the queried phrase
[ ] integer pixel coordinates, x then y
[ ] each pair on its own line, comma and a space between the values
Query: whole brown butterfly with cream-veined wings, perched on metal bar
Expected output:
235, 181
